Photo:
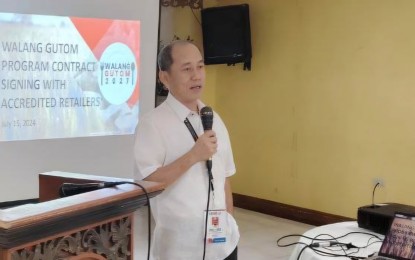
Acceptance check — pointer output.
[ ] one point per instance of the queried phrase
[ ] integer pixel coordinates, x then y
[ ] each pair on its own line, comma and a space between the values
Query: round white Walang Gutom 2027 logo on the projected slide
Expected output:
117, 76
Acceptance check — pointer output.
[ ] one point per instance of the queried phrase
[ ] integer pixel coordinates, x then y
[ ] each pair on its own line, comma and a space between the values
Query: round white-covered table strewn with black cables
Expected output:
337, 230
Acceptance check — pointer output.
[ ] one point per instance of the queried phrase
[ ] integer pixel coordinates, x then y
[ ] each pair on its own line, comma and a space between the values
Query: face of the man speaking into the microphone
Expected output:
186, 77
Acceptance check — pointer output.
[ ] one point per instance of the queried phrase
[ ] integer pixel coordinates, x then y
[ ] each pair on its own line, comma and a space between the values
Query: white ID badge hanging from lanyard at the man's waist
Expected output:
217, 226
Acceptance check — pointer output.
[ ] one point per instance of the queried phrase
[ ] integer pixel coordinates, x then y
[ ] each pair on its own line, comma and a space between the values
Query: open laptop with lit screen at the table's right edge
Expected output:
399, 242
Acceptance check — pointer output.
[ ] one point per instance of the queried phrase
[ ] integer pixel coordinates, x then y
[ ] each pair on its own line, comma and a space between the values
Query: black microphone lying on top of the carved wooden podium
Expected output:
69, 189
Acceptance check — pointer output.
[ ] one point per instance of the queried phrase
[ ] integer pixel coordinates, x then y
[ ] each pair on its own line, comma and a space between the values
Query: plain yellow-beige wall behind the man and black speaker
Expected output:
328, 106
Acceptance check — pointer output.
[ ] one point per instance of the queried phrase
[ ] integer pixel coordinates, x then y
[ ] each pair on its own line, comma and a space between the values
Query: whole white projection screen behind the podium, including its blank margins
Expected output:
82, 125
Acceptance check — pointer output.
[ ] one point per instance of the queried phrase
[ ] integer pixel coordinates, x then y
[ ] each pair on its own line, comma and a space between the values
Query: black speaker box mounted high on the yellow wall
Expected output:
227, 35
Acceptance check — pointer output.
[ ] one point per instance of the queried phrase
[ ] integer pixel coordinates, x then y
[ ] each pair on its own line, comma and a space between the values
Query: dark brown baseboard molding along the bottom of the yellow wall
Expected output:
307, 216
